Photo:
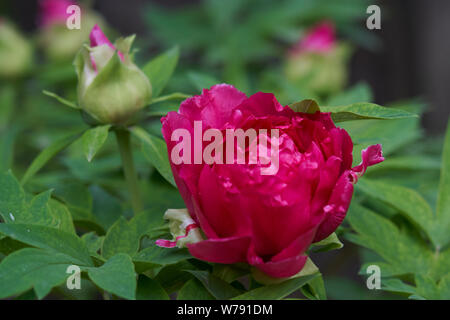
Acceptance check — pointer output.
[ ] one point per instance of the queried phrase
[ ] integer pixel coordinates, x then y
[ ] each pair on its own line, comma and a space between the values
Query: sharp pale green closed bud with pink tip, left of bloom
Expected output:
111, 88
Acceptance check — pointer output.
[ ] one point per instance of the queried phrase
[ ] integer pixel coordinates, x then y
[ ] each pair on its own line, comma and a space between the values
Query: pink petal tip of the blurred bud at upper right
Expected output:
320, 39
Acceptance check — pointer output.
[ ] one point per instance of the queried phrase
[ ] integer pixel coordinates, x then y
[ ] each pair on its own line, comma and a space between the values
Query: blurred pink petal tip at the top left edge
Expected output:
53, 11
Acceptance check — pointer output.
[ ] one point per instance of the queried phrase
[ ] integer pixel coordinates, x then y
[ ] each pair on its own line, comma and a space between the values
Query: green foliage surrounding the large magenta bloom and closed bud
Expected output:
68, 211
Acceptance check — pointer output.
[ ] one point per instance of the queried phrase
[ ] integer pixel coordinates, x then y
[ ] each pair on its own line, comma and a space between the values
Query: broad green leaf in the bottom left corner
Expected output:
32, 268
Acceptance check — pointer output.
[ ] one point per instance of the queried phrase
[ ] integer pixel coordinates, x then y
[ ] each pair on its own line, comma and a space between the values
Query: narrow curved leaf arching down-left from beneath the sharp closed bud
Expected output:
47, 154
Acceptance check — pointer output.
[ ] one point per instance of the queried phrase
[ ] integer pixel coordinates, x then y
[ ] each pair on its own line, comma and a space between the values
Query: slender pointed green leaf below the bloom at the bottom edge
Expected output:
276, 291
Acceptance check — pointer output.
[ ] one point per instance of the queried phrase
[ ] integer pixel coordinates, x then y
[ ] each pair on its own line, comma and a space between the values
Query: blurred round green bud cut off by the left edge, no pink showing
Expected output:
16, 53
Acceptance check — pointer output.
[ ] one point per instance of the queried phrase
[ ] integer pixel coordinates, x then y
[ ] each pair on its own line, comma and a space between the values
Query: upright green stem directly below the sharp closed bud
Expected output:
123, 140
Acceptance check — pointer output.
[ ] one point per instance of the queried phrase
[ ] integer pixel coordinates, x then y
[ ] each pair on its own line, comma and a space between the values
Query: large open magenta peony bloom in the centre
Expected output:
267, 221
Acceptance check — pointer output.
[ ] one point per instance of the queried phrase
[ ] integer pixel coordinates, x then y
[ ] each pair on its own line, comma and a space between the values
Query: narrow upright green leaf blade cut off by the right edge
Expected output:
443, 202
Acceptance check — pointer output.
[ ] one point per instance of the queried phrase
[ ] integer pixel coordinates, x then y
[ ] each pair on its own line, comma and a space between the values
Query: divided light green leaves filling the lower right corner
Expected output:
414, 249
